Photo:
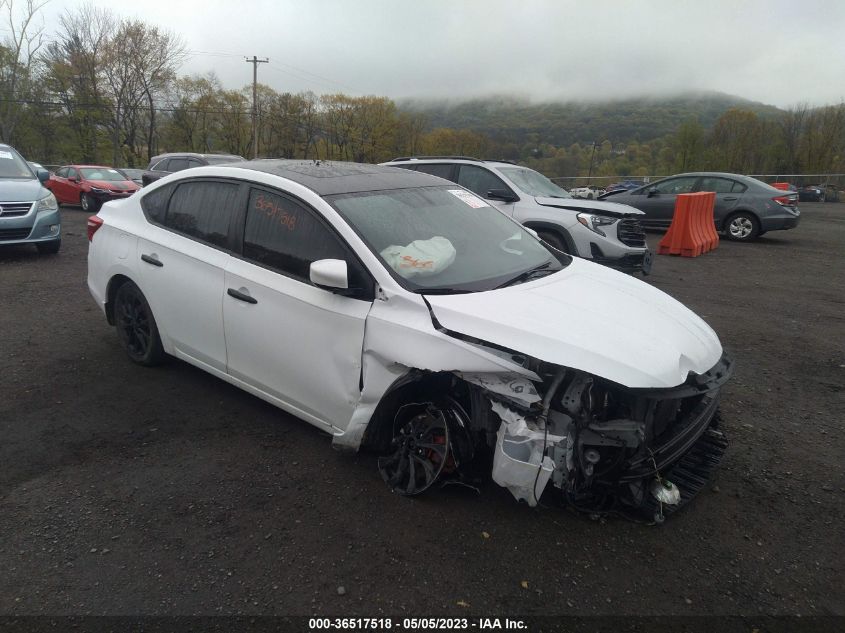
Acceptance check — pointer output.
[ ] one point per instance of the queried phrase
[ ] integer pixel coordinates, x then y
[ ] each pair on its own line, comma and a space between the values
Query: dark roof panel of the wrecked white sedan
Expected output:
327, 178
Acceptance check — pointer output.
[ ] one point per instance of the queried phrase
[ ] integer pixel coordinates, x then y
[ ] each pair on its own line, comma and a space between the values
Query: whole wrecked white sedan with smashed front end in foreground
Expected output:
420, 322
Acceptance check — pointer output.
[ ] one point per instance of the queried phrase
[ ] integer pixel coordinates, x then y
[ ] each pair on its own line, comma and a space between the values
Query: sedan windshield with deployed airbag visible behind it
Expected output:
443, 239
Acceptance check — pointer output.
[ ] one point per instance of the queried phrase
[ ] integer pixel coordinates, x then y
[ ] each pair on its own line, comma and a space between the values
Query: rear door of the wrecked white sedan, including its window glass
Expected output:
183, 256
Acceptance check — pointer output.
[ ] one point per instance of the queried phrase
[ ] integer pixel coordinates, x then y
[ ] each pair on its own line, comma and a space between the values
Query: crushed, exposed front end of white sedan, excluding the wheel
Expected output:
608, 448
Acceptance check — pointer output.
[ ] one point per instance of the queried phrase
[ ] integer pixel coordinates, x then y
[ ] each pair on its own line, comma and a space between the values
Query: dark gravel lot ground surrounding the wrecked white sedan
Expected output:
126, 490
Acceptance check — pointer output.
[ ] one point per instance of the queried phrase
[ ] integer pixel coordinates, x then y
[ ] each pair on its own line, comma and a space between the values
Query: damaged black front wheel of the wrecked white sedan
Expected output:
419, 451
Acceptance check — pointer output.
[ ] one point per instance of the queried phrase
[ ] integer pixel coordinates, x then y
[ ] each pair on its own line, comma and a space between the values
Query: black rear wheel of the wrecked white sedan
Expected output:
136, 326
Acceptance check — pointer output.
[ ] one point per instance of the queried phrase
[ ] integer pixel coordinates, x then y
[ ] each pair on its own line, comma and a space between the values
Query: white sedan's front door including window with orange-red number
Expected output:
285, 337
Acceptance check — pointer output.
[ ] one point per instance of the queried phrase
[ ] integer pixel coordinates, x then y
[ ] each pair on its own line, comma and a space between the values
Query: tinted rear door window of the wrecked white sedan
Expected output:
203, 210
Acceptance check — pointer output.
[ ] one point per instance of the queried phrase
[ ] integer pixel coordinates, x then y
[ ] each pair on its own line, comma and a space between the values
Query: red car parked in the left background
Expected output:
89, 185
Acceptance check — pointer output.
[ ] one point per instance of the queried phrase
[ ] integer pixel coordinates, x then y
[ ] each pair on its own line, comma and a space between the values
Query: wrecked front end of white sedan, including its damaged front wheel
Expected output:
604, 447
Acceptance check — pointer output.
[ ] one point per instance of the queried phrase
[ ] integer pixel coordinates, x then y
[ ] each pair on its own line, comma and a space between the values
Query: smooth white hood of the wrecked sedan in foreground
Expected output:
591, 318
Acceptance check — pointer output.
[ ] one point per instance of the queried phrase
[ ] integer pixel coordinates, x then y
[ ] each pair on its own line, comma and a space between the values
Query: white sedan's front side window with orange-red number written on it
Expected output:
283, 234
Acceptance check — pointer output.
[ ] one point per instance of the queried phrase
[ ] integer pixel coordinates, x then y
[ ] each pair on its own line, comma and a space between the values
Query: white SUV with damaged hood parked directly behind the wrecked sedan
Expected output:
607, 233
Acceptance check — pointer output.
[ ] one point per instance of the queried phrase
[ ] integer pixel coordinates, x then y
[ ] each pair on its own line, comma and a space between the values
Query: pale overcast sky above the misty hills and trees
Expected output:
780, 52
